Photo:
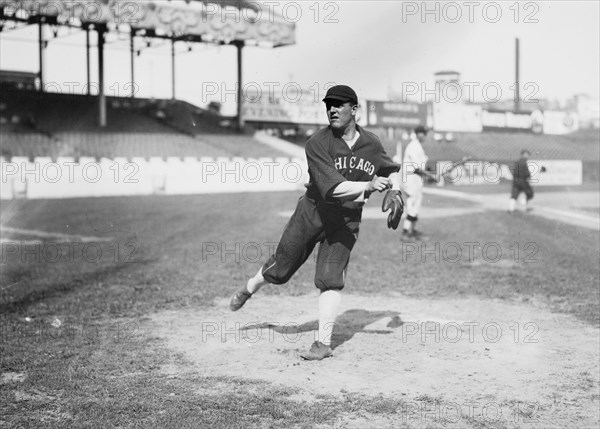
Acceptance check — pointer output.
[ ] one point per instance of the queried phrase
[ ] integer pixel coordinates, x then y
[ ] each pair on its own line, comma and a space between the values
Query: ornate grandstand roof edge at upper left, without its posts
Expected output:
201, 21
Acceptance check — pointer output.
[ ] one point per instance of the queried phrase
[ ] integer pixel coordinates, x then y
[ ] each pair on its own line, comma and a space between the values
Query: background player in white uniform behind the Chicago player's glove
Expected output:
413, 168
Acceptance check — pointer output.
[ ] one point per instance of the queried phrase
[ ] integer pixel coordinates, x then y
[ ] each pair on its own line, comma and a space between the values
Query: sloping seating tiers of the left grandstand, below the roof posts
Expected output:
51, 125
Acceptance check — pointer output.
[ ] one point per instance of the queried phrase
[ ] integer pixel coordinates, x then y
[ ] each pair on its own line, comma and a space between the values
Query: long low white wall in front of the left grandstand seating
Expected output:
67, 178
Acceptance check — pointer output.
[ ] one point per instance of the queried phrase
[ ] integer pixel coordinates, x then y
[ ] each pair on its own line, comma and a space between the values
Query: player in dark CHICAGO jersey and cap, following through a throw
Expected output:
345, 164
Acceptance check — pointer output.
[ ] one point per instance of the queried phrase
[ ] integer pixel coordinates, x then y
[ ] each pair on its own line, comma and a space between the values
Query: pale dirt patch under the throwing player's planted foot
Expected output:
457, 362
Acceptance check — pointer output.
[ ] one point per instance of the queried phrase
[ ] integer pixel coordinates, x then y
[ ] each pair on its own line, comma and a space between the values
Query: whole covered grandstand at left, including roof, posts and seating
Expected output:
36, 123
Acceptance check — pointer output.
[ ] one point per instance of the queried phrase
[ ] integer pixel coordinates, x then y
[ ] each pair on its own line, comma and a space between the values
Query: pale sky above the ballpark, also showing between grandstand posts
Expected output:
377, 47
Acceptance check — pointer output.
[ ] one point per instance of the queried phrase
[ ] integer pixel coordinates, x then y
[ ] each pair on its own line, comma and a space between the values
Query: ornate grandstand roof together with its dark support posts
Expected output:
237, 23
